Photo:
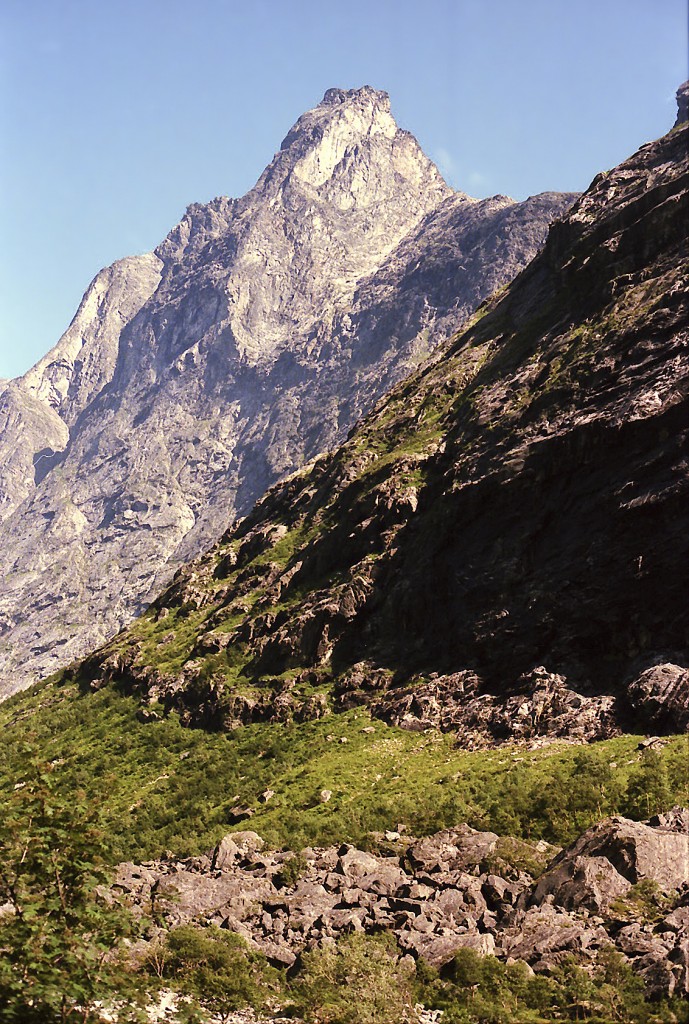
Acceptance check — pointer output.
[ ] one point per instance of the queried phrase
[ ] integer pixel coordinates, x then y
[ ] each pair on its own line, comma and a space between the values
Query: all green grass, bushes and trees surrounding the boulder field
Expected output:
117, 788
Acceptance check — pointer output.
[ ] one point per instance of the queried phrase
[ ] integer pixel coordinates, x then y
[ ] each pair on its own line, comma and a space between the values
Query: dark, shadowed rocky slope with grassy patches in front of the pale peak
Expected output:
501, 547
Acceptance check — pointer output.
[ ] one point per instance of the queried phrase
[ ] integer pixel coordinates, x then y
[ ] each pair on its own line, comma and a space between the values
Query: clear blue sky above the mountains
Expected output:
116, 115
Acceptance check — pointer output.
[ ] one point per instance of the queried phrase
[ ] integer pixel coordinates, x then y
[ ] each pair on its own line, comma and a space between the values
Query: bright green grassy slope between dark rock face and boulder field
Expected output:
164, 787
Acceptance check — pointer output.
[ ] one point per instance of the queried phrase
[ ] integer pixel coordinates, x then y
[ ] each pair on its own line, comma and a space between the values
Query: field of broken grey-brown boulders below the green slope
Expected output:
623, 884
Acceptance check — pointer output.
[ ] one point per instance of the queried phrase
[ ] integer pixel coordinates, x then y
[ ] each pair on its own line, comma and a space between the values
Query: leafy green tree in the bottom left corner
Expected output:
60, 930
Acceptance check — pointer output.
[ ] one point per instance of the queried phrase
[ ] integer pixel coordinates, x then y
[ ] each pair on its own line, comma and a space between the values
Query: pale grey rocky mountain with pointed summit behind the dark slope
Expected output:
252, 339
